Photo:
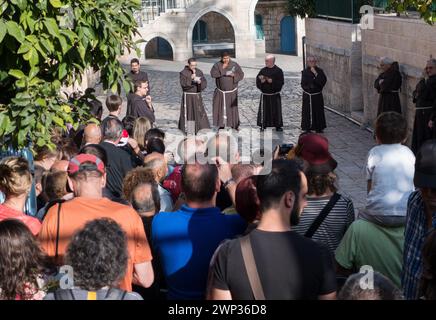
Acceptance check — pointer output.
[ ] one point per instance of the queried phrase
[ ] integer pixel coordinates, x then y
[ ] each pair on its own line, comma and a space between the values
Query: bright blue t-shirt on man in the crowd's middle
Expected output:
185, 241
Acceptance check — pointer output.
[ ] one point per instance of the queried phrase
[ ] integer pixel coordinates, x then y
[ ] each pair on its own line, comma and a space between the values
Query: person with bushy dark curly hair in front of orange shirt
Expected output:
98, 257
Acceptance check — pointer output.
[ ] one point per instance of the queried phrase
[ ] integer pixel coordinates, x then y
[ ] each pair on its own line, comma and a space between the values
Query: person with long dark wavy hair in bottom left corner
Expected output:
22, 263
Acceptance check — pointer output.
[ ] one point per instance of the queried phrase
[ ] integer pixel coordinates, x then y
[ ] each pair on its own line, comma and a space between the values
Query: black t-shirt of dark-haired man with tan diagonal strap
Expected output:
290, 267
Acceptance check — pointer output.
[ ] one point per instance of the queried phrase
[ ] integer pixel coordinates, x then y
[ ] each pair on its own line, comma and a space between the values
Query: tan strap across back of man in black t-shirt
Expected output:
250, 266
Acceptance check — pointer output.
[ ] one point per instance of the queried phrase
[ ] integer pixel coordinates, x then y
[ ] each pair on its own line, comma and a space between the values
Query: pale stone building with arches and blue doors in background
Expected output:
179, 29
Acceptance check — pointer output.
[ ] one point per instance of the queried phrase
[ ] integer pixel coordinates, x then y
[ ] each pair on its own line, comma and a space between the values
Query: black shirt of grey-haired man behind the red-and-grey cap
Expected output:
119, 162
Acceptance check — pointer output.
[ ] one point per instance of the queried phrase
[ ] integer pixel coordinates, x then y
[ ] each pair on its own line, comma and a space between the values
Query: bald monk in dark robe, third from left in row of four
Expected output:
270, 81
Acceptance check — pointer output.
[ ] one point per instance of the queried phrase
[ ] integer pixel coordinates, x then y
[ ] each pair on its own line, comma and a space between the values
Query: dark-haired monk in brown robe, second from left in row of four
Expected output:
225, 99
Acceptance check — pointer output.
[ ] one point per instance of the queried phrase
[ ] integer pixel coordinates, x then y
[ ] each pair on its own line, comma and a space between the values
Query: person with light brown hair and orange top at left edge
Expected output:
15, 183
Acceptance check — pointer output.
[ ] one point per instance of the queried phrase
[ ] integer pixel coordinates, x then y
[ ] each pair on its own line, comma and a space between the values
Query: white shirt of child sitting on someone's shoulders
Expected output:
391, 168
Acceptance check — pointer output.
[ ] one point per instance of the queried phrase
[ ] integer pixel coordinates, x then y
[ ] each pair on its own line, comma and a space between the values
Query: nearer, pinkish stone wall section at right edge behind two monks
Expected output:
406, 40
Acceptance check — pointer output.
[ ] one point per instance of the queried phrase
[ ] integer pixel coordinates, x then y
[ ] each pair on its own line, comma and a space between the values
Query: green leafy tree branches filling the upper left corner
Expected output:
47, 44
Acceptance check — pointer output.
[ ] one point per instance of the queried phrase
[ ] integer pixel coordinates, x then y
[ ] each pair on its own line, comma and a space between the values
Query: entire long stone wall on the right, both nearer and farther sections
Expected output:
350, 53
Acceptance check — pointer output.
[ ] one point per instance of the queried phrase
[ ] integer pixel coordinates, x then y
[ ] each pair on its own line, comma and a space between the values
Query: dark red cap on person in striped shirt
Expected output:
314, 148
